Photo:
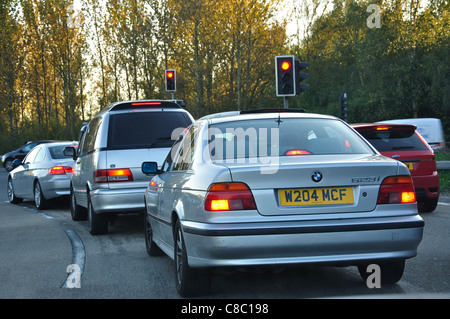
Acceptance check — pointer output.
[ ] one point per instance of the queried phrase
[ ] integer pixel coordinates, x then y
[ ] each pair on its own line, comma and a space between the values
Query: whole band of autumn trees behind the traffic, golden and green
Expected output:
54, 76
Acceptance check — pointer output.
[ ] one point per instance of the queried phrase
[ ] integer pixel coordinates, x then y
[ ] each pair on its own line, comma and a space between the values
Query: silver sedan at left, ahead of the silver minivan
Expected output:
43, 174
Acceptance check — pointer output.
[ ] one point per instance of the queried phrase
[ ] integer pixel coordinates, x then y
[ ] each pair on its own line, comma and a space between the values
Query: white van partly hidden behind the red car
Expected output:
429, 128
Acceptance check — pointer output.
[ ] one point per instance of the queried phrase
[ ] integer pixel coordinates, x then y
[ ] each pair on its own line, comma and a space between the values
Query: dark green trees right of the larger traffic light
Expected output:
396, 71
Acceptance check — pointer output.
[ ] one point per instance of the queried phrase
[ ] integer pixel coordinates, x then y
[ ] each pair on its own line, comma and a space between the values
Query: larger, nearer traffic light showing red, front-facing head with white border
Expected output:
285, 75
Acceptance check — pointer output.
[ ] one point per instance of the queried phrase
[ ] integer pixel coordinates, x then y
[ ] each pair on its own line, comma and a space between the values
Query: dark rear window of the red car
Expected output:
394, 140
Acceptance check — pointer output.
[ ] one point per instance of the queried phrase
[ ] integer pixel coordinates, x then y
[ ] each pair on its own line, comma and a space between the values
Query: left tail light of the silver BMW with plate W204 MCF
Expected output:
229, 196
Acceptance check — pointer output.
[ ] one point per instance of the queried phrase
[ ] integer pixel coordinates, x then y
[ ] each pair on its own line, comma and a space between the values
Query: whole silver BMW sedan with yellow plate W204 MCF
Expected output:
278, 188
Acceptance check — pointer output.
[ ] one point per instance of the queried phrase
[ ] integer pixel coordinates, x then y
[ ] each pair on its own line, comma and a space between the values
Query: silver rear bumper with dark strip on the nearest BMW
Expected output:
333, 241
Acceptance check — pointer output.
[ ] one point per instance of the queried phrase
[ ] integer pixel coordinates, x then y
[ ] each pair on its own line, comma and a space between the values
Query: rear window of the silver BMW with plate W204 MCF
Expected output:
283, 137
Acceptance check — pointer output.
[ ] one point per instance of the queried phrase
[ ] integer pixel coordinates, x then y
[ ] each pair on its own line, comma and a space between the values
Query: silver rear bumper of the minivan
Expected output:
118, 200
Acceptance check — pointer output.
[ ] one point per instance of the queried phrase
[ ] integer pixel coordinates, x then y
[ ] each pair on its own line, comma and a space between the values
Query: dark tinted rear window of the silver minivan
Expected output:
144, 129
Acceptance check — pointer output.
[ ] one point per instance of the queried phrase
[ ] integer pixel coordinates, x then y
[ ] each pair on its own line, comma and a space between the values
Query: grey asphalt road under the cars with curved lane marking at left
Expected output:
36, 249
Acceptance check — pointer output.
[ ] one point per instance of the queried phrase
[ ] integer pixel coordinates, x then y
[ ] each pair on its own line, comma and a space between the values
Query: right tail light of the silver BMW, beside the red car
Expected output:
396, 190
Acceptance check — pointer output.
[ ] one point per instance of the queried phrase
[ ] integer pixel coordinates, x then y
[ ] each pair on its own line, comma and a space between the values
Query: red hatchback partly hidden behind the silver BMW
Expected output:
404, 143
